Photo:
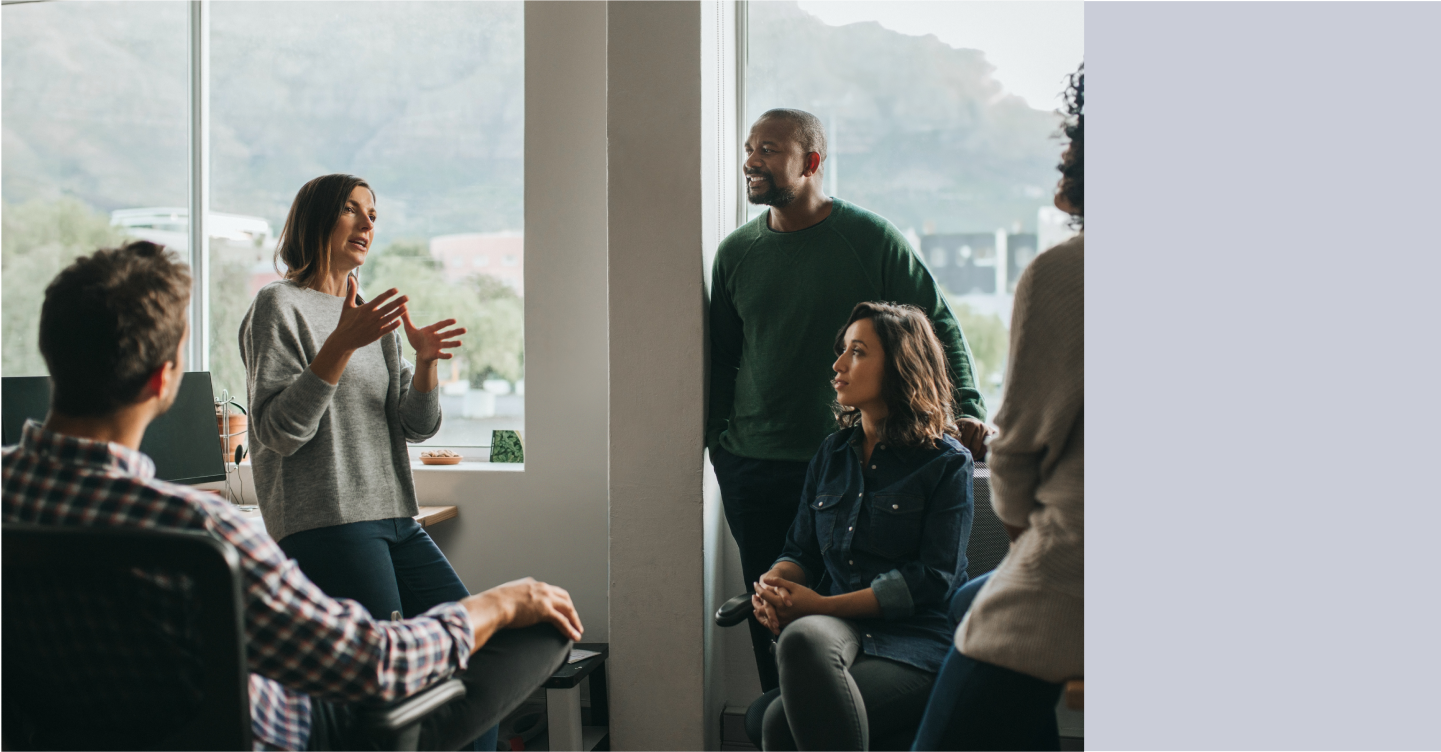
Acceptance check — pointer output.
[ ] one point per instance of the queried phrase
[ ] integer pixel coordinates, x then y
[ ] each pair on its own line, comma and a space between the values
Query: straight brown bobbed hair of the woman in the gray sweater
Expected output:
305, 243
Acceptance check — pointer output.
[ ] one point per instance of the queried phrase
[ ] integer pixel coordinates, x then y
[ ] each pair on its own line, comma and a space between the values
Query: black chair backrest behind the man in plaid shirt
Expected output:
122, 639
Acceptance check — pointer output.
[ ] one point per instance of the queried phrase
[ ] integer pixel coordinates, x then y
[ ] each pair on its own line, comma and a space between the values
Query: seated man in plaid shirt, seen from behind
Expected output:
113, 332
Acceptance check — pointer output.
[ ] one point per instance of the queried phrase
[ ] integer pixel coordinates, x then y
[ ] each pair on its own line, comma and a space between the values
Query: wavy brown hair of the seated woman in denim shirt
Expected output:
917, 387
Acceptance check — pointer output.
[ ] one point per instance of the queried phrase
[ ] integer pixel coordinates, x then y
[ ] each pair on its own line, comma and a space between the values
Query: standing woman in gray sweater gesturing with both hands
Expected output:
334, 406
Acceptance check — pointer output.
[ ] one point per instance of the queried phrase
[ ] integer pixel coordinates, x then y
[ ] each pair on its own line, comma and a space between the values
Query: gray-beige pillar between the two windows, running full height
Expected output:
658, 377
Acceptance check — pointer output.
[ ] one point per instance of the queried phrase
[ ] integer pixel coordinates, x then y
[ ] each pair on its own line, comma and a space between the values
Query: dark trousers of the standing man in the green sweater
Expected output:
760, 499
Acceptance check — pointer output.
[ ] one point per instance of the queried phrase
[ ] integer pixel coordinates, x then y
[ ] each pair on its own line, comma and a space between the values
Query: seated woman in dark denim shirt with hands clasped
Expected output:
860, 594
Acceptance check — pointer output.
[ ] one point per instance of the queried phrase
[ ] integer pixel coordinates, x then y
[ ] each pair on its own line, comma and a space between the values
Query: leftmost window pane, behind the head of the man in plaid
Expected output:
93, 100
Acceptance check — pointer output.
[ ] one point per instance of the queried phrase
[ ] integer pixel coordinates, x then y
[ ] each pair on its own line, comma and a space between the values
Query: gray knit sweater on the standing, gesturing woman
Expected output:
328, 455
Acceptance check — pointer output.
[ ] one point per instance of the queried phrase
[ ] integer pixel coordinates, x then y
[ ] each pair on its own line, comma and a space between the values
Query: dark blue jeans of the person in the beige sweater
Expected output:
978, 707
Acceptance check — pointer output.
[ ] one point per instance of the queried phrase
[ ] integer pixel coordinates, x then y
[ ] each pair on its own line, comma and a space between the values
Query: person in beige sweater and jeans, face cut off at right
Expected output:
1022, 635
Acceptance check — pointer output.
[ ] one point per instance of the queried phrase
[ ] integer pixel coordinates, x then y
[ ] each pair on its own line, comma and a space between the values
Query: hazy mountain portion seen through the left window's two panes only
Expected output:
429, 107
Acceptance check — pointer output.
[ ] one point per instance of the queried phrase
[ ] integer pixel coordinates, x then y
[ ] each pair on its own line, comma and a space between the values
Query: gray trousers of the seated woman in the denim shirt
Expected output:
834, 697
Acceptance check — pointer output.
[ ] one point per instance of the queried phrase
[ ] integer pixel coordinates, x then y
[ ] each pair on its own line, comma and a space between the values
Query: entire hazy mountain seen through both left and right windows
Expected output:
429, 107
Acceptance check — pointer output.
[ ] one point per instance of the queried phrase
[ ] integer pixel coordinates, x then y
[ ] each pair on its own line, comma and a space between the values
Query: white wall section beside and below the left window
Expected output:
550, 522
